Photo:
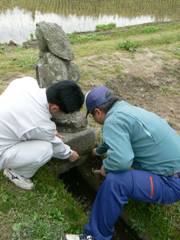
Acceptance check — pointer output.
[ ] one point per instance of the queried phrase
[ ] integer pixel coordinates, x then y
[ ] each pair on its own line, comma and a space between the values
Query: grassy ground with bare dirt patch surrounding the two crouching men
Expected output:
142, 64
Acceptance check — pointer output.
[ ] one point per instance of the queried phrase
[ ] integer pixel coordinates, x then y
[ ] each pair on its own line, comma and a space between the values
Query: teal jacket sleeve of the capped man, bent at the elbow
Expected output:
120, 154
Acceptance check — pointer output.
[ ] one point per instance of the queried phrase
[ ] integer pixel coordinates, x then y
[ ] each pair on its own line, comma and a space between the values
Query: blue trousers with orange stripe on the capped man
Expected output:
115, 191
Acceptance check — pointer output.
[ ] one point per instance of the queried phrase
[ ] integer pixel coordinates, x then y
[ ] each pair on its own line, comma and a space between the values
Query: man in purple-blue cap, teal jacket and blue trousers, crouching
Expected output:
142, 160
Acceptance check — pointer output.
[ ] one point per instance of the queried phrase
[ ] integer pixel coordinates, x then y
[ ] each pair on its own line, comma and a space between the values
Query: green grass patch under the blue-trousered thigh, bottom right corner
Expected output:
158, 221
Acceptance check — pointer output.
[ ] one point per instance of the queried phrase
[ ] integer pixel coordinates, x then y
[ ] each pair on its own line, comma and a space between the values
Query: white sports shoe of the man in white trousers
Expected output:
18, 180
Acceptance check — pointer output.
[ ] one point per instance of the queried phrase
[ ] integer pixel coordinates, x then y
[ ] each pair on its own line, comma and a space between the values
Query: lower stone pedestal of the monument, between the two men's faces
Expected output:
73, 128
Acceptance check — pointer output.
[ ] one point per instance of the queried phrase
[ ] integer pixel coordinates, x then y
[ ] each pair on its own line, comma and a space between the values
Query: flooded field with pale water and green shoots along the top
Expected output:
18, 18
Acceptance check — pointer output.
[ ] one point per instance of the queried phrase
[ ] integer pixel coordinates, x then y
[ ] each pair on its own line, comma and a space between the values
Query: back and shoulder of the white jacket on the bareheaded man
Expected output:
23, 107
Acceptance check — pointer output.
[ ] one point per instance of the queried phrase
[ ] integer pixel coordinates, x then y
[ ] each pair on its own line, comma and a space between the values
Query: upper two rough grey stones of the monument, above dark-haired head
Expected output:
56, 57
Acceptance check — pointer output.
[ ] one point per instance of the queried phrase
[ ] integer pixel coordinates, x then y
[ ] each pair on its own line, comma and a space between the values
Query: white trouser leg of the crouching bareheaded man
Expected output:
25, 158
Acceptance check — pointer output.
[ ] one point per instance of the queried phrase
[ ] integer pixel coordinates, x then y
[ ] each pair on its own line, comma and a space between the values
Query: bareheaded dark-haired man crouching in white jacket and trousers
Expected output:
28, 136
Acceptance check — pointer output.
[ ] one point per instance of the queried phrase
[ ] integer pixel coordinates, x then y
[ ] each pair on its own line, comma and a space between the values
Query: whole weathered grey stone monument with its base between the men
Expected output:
56, 64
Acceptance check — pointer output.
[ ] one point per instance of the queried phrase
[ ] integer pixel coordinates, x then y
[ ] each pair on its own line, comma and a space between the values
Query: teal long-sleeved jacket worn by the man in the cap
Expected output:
135, 137
